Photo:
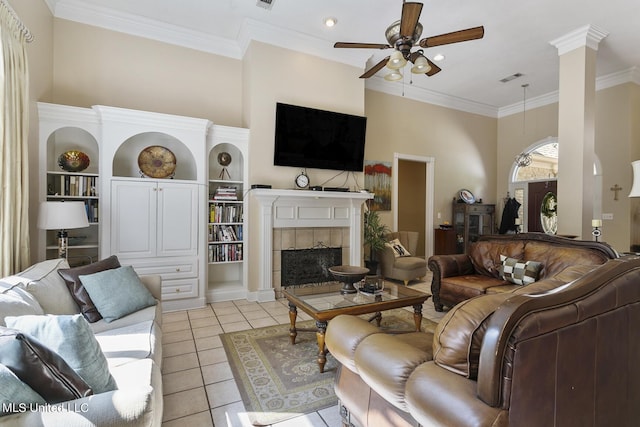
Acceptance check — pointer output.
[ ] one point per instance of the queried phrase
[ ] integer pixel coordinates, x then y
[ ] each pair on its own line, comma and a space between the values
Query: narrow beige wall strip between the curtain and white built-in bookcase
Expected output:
37, 17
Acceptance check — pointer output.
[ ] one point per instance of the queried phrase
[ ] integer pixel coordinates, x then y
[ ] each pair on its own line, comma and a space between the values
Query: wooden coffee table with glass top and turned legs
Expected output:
324, 302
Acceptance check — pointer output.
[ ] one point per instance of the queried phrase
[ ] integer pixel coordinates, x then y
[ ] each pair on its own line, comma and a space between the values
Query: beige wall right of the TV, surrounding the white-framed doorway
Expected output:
463, 145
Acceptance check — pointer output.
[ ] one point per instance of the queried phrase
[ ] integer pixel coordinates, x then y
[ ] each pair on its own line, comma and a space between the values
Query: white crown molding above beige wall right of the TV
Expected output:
379, 84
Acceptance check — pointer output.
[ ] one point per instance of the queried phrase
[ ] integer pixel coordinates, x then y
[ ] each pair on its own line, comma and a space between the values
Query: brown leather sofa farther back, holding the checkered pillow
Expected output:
463, 276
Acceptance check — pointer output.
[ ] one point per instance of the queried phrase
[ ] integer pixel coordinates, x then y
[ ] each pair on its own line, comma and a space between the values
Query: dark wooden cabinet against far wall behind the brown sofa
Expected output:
470, 221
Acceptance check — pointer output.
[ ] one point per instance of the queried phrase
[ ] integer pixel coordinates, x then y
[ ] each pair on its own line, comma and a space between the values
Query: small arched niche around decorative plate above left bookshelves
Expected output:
71, 138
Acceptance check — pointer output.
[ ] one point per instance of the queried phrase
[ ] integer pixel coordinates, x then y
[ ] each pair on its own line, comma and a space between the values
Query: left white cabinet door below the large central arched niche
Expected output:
133, 218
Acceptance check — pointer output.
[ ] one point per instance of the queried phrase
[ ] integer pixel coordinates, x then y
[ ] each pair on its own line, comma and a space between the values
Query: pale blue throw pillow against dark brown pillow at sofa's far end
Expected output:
117, 292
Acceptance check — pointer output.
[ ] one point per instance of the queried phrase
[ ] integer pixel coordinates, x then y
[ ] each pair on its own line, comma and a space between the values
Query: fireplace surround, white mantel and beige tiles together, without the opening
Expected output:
303, 219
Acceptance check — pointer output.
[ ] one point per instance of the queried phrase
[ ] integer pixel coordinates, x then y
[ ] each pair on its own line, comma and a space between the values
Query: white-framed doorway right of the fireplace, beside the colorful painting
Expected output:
412, 199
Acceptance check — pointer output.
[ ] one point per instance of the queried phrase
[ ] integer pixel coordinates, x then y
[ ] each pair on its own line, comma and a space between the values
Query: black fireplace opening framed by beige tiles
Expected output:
305, 266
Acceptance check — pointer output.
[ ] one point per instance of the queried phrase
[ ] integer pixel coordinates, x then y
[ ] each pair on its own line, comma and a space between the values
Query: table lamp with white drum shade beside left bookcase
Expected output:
62, 216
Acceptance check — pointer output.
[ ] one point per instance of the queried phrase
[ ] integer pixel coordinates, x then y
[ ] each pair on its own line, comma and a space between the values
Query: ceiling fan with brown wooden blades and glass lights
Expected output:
403, 35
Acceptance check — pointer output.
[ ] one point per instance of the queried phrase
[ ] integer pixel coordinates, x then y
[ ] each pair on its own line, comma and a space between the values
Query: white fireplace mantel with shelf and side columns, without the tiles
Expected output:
304, 208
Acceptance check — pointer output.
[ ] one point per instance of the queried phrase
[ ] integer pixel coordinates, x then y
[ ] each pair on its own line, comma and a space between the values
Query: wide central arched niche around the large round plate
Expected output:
125, 160
